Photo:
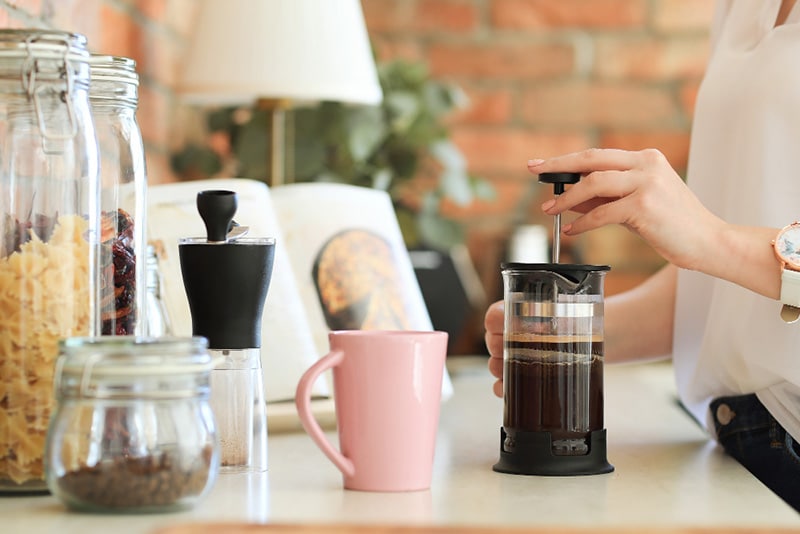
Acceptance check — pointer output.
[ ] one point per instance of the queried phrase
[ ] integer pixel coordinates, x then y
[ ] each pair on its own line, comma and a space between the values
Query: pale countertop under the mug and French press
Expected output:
667, 474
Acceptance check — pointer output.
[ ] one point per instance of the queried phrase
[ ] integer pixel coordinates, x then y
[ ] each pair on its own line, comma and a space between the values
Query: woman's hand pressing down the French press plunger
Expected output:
638, 190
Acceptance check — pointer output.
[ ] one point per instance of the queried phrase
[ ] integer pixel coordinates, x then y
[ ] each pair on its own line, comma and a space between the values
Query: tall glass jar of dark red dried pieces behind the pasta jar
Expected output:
113, 95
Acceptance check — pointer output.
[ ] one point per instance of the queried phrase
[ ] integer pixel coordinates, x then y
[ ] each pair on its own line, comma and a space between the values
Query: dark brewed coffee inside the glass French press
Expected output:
554, 384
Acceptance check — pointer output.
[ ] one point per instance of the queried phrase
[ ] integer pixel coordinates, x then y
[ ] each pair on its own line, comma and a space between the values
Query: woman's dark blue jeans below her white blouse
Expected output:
749, 433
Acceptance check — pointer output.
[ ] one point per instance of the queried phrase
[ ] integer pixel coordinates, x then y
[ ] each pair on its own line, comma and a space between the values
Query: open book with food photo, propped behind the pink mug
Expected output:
340, 263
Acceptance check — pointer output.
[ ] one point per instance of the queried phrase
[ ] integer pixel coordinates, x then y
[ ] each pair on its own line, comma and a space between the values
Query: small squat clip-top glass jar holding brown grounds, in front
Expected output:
133, 431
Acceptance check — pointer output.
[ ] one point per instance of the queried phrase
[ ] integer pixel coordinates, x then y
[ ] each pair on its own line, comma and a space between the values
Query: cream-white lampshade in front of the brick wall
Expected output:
299, 50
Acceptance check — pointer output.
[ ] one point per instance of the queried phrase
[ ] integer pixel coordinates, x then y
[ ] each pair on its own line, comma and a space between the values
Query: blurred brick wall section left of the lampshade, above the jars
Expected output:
153, 32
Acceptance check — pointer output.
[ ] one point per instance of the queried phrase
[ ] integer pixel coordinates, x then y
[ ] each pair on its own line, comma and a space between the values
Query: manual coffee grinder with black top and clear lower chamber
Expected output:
226, 277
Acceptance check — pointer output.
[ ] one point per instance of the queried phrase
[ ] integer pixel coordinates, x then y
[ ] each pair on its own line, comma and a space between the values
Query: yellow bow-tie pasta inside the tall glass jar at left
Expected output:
44, 296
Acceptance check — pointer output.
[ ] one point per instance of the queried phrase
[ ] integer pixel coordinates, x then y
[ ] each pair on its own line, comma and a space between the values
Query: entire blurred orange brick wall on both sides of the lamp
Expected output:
543, 76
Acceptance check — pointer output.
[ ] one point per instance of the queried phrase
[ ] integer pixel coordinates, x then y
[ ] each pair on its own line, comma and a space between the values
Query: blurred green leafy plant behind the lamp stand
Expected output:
401, 146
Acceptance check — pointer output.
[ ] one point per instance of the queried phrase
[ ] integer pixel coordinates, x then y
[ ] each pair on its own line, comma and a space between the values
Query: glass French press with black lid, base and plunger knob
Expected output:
553, 364
